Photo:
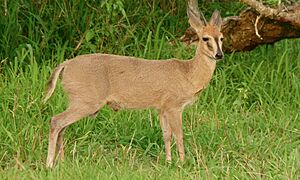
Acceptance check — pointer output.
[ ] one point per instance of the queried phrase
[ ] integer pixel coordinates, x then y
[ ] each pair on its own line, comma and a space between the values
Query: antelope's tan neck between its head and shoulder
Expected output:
202, 68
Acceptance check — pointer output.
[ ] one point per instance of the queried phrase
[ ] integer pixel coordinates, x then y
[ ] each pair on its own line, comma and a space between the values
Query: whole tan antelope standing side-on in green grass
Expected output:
94, 80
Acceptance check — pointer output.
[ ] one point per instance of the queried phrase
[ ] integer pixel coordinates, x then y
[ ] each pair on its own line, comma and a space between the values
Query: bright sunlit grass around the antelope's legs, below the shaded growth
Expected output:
244, 125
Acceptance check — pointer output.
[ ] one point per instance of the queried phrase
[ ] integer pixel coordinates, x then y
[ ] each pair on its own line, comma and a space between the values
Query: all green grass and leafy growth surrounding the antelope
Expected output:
244, 125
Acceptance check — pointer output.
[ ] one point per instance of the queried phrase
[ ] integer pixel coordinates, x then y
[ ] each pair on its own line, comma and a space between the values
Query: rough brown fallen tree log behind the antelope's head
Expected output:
255, 26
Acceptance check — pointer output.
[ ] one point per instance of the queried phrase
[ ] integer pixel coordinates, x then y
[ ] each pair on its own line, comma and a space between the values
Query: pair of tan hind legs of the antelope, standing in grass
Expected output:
75, 112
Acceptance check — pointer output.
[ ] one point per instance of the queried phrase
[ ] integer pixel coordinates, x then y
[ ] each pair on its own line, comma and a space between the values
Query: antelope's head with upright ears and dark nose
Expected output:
209, 33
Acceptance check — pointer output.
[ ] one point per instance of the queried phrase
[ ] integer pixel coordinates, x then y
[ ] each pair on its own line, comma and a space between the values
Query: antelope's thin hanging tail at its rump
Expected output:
52, 81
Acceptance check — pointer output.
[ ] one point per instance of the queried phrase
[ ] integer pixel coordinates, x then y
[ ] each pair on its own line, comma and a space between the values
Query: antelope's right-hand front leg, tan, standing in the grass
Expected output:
174, 117
